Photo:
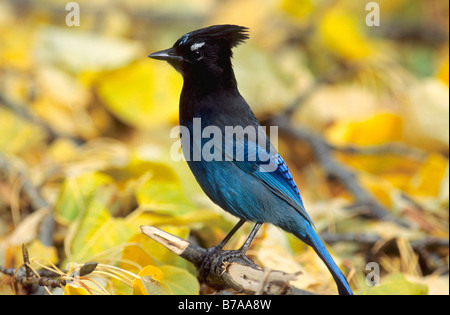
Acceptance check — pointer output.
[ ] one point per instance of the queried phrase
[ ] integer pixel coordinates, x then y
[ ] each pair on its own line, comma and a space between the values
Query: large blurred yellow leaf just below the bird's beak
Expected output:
144, 94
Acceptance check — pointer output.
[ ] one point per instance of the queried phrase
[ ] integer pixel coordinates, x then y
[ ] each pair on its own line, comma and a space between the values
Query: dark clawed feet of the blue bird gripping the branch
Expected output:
215, 257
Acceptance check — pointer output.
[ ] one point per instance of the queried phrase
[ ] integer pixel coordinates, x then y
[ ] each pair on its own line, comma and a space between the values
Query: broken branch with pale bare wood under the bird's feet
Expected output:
237, 273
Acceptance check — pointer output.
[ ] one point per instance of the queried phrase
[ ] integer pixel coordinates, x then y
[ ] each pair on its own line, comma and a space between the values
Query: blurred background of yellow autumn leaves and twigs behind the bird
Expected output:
85, 120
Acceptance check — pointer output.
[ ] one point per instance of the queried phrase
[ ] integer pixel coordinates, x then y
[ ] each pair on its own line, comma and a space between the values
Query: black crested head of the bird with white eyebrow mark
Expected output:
205, 53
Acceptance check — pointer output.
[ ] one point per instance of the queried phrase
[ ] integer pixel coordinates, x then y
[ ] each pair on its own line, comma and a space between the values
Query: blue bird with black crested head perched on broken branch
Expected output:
242, 173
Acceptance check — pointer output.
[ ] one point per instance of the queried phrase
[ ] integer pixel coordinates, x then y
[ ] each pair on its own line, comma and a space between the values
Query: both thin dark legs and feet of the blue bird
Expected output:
216, 252
